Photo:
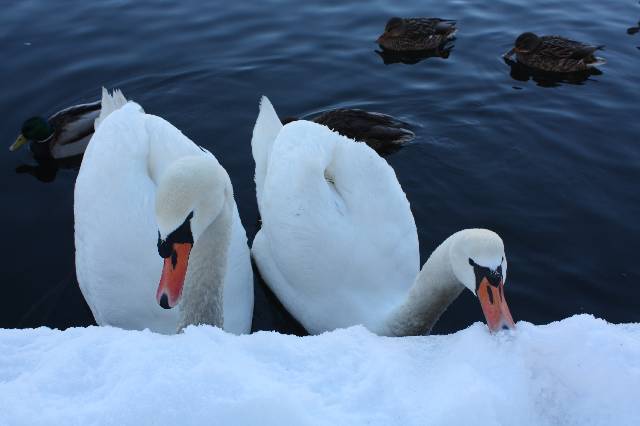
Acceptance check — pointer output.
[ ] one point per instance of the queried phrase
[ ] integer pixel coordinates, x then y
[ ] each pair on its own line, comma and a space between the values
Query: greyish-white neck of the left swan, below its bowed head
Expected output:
202, 295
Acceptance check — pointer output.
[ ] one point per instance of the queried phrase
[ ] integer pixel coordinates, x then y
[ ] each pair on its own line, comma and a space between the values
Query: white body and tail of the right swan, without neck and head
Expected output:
323, 224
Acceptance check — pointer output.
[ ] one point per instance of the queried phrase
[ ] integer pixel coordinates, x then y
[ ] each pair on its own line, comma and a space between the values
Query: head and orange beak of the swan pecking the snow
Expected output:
479, 263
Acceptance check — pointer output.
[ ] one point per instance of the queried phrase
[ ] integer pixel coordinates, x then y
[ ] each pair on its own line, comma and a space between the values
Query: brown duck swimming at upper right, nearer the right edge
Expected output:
554, 53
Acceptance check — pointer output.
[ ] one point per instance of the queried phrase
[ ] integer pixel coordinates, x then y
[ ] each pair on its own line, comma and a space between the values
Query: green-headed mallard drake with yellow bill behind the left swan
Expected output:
65, 134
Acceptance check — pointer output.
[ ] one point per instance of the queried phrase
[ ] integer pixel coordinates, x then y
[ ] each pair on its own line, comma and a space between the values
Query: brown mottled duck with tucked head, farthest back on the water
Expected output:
405, 34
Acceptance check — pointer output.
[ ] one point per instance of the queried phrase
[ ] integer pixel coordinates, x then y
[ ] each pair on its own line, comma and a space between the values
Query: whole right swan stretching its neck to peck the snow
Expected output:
338, 243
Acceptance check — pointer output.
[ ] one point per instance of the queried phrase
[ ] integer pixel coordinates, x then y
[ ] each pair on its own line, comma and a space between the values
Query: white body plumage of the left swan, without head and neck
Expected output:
117, 261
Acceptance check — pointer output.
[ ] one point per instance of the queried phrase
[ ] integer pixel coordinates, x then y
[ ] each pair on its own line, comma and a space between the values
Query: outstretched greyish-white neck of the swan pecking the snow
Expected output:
434, 289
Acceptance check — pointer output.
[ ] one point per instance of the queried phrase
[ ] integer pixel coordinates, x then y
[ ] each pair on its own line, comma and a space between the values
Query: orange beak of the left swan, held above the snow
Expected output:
173, 274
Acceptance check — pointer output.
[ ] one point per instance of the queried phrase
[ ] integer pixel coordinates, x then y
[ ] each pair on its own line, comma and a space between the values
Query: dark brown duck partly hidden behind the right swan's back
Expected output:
381, 132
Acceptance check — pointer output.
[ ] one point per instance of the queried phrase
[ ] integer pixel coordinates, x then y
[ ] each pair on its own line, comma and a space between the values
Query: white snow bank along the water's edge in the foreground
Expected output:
580, 371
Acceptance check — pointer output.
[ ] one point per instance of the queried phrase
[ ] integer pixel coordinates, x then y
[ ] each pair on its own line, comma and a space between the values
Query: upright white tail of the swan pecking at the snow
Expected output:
265, 131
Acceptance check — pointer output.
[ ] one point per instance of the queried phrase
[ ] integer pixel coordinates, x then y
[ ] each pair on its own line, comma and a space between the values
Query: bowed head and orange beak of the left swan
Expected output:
191, 194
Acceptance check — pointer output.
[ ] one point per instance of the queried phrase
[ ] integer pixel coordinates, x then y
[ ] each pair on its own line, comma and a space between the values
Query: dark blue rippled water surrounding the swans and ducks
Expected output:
552, 166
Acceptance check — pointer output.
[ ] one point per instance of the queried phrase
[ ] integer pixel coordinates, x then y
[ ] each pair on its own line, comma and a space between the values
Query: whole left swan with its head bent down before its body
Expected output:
145, 188
